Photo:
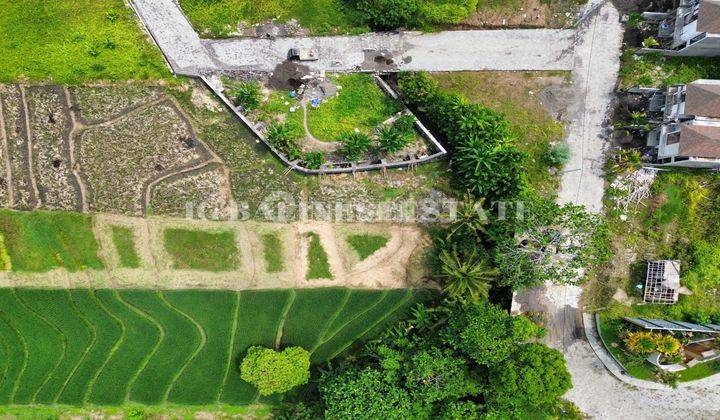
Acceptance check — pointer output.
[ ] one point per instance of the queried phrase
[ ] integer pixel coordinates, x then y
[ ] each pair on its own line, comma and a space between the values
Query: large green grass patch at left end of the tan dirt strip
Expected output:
41, 241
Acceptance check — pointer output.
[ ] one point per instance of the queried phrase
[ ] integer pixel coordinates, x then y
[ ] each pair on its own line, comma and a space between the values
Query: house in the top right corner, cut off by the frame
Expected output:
692, 29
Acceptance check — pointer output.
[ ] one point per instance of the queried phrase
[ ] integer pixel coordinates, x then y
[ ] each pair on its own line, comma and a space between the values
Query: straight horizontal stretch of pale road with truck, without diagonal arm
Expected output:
444, 51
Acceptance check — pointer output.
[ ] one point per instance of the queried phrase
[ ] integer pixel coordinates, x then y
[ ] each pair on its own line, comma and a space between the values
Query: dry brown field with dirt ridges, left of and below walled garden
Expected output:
115, 126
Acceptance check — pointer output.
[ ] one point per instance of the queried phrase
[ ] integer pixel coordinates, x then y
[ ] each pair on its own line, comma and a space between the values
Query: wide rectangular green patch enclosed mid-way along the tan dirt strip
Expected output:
199, 250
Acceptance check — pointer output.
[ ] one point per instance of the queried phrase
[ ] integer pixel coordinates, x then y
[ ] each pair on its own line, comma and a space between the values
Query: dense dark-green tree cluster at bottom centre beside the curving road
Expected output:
451, 361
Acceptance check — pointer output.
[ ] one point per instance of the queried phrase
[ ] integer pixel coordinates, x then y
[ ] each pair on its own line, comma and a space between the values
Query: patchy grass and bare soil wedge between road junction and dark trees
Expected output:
534, 105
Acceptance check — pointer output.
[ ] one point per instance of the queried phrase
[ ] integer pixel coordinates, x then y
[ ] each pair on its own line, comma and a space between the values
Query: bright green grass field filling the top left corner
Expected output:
75, 41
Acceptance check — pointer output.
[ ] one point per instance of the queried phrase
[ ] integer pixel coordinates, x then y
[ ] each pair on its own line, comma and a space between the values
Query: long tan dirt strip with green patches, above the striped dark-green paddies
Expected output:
72, 250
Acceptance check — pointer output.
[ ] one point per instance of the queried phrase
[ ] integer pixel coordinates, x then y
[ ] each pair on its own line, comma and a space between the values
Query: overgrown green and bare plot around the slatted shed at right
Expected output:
677, 223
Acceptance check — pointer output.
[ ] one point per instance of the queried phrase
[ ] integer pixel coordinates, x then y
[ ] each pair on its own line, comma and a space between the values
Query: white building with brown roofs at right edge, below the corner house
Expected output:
689, 135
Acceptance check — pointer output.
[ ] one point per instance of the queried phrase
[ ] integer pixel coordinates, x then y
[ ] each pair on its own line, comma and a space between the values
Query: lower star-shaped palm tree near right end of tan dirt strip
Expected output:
466, 276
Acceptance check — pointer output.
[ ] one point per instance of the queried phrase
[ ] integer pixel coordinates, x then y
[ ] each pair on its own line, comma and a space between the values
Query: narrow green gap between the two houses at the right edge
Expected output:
654, 70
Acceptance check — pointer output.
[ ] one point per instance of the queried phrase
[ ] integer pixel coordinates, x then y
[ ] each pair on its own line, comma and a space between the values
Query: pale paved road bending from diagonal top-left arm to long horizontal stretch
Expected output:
541, 49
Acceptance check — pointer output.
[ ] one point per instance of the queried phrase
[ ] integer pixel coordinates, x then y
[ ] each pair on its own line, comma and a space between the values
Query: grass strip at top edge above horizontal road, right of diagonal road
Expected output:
219, 18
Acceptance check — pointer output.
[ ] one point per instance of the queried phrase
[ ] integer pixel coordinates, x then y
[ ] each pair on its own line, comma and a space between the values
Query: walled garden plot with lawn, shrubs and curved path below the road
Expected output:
337, 119
